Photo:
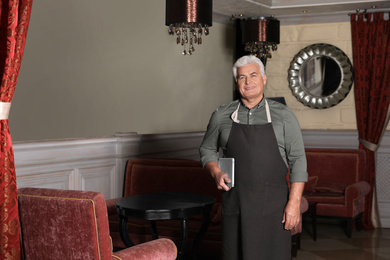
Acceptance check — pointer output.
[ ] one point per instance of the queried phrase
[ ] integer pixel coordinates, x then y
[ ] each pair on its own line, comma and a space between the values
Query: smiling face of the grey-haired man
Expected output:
250, 83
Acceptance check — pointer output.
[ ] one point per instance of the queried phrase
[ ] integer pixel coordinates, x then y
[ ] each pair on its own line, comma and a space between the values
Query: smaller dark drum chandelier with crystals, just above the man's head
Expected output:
260, 36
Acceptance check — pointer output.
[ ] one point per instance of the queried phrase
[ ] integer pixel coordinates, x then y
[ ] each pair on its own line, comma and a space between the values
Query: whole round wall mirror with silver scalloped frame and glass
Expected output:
320, 76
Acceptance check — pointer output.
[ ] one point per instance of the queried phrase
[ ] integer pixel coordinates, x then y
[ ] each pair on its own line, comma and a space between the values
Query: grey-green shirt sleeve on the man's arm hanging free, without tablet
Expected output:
295, 149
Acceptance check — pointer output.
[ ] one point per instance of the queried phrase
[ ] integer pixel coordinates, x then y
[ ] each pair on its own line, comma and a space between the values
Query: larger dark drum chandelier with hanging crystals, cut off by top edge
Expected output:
189, 20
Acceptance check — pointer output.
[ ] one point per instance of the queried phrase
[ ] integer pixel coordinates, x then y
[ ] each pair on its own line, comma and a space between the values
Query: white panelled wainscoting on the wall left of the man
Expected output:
95, 163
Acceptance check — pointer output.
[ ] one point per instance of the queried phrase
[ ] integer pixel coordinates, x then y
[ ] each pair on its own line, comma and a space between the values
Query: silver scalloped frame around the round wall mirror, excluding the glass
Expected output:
316, 50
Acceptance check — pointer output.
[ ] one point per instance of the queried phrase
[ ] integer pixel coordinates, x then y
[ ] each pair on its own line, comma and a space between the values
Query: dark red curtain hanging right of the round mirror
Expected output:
371, 58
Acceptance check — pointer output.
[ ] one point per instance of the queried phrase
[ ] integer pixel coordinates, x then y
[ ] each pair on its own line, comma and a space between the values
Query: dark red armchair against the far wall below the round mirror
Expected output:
336, 185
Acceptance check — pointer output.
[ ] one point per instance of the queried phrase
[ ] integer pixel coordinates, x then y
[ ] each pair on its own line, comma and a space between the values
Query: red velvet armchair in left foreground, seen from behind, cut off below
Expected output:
67, 224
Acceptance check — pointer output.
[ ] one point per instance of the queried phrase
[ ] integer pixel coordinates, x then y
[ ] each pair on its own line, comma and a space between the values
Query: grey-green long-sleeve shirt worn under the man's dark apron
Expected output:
286, 127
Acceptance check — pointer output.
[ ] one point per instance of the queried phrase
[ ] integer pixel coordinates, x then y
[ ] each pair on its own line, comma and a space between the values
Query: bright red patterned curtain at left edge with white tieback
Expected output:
14, 21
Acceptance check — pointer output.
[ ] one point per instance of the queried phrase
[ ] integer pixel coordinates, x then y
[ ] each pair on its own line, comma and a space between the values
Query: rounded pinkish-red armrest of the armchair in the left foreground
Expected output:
159, 249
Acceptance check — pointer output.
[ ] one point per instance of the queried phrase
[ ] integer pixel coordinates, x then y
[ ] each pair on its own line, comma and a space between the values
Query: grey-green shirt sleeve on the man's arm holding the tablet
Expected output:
209, 148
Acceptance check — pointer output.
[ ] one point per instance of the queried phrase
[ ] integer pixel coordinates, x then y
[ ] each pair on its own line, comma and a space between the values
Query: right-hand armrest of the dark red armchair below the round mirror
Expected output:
354, 197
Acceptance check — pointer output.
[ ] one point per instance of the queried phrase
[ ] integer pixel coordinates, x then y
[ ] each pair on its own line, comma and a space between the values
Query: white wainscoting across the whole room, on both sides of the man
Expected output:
98, 163
